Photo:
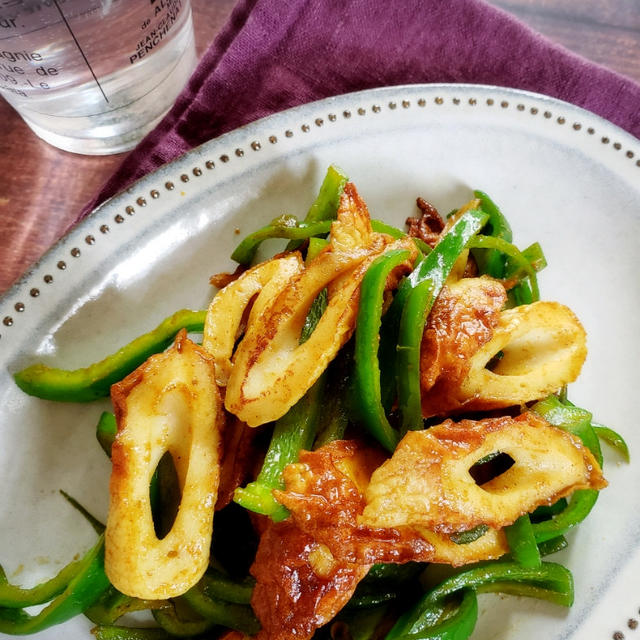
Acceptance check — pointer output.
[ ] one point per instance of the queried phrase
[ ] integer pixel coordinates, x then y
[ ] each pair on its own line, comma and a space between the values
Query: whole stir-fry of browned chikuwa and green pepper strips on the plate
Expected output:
293, 461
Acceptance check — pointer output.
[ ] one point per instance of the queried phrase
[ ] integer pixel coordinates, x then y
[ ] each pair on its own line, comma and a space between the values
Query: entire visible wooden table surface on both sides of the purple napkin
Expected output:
42, 189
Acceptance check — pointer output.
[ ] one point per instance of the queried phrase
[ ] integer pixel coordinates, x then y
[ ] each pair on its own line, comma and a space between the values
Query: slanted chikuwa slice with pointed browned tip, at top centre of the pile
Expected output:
271, 369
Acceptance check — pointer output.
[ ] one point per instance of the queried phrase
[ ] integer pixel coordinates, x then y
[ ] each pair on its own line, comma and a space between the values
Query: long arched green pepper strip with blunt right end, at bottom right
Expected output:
549, 581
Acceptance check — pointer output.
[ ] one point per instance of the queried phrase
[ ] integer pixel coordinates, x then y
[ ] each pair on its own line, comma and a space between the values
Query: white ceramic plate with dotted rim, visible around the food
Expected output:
562, 175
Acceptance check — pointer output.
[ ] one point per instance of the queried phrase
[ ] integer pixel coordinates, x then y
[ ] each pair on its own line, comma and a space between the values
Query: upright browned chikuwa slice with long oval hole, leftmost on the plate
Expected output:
169, 404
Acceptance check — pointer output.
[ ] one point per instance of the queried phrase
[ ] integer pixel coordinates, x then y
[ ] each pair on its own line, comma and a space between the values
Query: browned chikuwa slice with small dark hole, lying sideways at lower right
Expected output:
427, 483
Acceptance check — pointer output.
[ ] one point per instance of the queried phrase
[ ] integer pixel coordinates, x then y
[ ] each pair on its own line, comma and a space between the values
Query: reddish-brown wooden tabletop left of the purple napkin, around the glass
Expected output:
42, 189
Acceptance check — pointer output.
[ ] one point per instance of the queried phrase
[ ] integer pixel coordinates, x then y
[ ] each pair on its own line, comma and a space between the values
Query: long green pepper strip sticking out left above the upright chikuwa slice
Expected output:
94, 381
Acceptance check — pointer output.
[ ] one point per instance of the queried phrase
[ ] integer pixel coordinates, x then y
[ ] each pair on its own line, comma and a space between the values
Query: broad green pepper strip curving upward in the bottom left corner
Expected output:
81, 591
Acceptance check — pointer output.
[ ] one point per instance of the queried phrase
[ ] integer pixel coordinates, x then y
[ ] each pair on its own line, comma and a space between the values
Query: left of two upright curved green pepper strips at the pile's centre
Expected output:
366, 376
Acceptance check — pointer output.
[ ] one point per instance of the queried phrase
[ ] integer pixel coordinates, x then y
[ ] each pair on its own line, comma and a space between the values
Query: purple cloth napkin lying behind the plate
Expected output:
276, 54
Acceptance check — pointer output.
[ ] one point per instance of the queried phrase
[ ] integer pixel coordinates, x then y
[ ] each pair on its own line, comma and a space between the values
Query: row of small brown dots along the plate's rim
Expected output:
255, 146
